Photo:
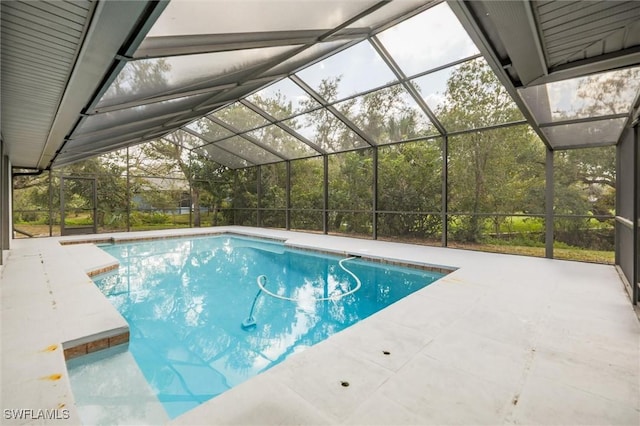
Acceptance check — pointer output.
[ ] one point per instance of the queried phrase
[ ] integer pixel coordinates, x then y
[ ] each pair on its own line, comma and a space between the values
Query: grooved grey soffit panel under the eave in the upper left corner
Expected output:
38, 54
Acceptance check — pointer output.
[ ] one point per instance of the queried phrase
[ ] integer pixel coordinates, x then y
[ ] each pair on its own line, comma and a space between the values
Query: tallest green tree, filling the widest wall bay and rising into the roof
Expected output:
499, 170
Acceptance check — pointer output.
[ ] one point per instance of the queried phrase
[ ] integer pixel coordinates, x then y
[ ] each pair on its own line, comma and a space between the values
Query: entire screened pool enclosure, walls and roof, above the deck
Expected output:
483, 125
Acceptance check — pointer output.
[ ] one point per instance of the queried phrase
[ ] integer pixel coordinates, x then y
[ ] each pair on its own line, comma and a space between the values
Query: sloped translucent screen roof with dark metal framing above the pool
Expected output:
256, 82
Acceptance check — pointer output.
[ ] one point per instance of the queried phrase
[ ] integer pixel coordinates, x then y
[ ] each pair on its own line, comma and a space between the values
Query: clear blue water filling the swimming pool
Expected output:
186, 301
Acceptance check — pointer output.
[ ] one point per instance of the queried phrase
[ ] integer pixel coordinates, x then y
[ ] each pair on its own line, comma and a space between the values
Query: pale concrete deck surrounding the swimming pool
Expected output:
502, 340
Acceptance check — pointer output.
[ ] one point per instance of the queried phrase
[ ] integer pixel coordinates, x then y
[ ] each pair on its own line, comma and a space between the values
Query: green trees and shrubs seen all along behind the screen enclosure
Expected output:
496, 178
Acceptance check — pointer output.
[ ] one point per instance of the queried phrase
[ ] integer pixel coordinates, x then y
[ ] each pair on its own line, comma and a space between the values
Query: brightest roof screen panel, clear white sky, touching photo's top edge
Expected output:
430, 39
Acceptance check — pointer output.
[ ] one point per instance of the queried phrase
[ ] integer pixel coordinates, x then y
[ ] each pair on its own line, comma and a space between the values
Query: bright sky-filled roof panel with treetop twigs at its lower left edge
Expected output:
349, 72
